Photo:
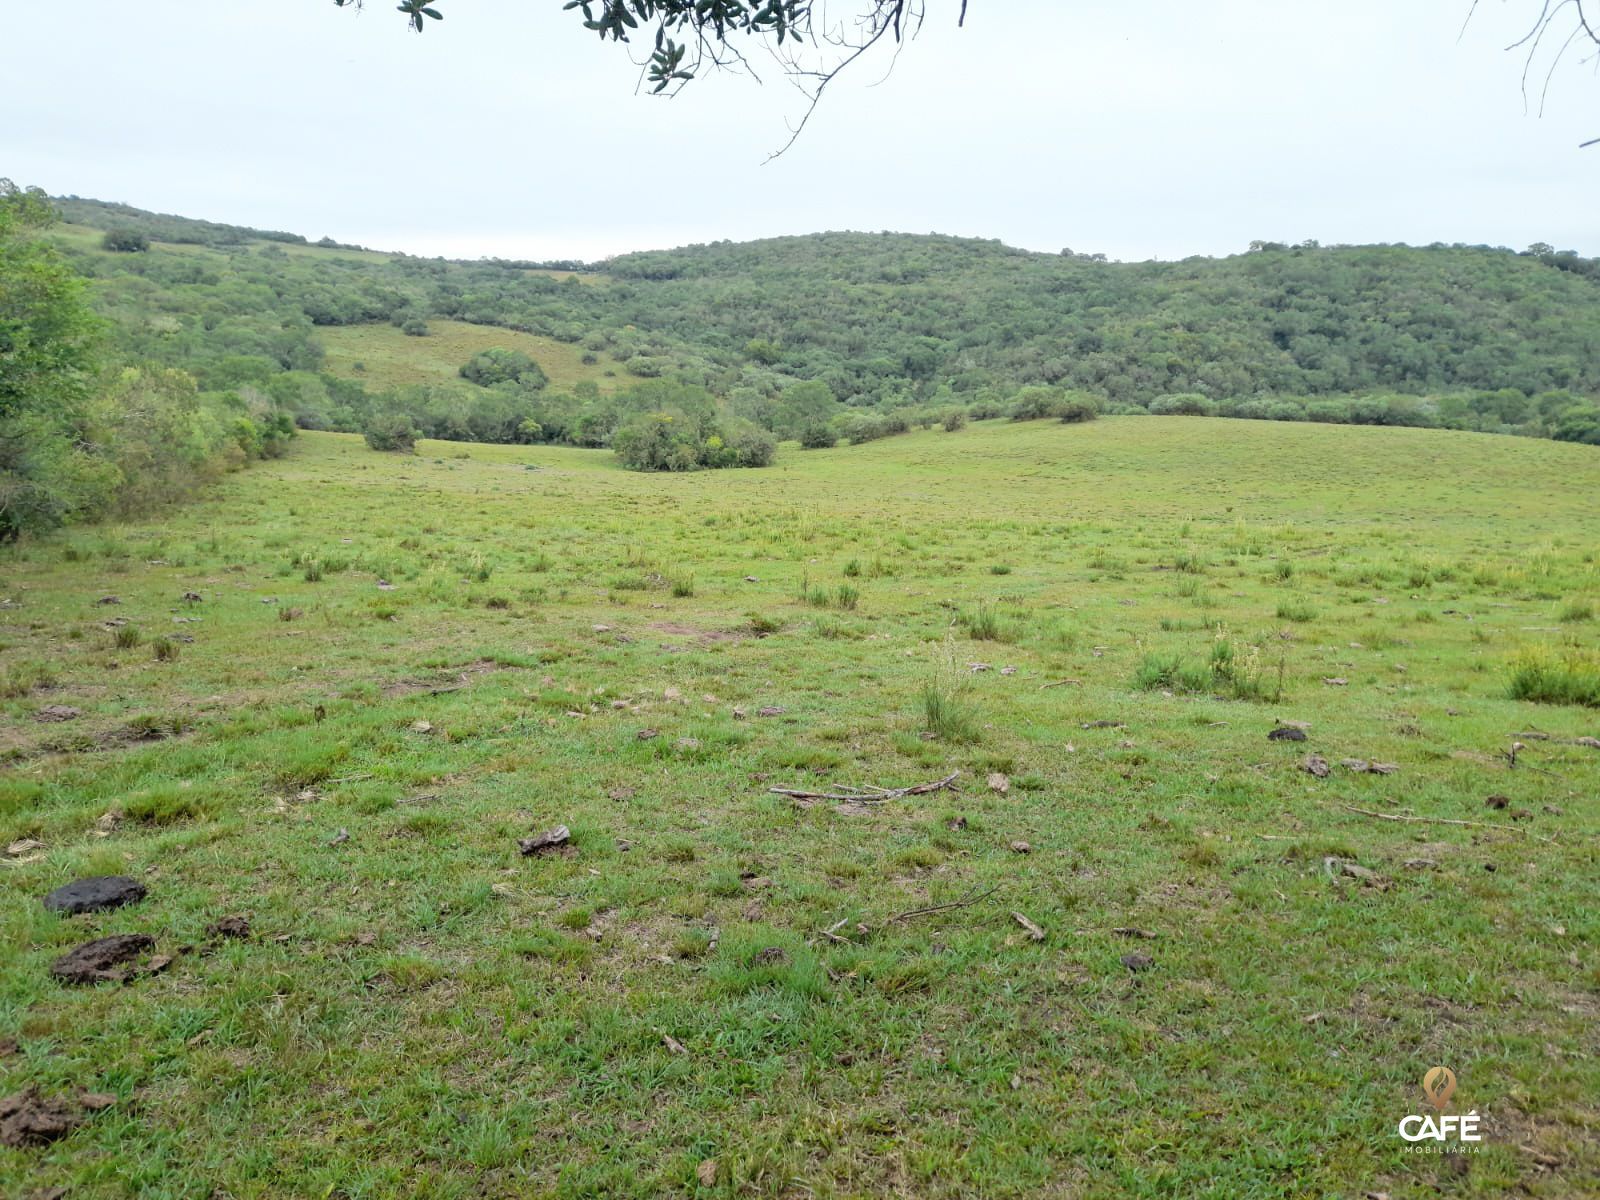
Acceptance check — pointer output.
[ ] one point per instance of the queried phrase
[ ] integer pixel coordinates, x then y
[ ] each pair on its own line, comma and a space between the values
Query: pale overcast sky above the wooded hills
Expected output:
1154, 130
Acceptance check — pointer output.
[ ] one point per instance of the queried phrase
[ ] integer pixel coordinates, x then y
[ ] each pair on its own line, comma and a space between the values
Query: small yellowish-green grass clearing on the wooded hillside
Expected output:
391, 359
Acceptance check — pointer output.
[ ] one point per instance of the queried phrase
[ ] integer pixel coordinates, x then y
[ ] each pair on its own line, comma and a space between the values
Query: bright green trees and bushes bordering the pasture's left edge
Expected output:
82, 436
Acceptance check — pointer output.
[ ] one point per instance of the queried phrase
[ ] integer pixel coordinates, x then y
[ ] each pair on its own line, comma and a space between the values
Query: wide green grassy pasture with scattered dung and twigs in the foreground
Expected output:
401, 666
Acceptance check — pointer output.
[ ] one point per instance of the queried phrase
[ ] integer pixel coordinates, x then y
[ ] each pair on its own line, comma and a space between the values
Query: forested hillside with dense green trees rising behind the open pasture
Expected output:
898, 329
